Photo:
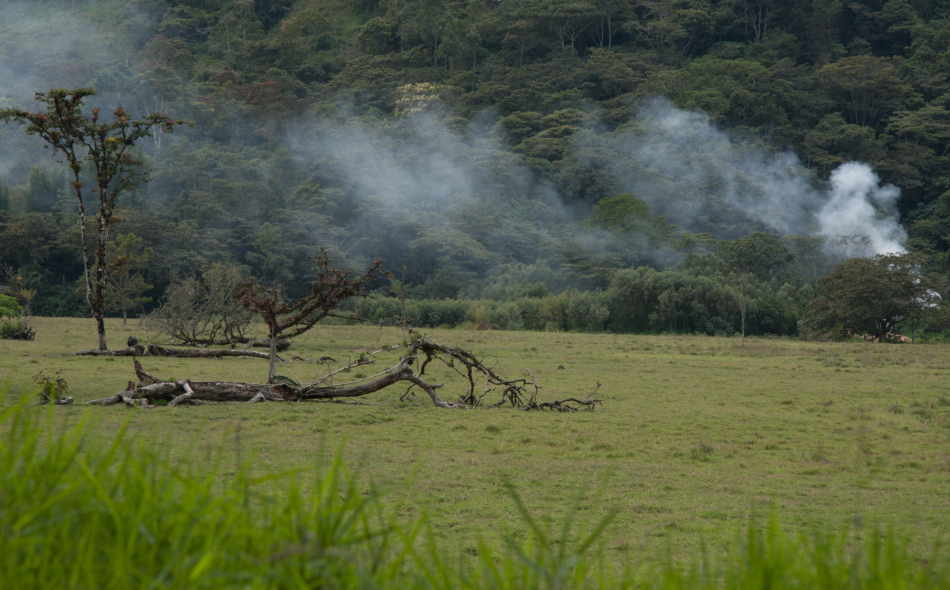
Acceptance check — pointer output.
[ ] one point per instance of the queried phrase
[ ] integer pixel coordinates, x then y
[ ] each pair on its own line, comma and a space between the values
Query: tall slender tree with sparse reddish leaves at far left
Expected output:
102, 149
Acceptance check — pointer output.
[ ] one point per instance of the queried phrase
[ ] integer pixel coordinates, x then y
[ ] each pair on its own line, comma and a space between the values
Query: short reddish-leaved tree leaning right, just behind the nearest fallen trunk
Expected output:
286, 320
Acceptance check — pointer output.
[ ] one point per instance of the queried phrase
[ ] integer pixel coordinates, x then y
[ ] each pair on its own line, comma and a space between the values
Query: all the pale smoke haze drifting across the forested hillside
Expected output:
700, 177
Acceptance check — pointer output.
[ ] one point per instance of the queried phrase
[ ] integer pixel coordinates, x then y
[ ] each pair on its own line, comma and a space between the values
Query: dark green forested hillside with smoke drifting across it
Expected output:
649, 162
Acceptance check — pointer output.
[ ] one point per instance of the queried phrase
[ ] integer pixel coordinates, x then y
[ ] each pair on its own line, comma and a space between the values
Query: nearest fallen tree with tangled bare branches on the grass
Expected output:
419, 353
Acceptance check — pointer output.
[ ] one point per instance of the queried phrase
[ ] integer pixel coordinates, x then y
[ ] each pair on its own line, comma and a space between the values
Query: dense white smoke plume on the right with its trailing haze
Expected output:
705, 179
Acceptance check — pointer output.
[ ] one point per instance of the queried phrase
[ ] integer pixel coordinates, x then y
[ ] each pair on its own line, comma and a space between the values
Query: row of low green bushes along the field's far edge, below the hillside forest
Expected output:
637, 300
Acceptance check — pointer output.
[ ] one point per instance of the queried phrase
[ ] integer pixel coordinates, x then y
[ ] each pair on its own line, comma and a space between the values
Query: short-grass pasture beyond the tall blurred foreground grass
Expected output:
696, 434
